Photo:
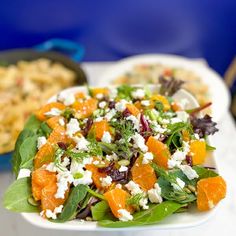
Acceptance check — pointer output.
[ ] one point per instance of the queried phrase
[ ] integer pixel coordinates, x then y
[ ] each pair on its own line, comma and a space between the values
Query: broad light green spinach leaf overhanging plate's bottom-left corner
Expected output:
17, 195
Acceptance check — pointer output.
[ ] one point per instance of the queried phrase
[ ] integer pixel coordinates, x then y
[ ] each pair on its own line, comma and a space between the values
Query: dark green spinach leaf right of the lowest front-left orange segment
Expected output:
77, 194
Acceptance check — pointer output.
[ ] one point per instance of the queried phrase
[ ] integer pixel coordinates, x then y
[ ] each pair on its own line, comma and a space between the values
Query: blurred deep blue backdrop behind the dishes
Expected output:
111, 30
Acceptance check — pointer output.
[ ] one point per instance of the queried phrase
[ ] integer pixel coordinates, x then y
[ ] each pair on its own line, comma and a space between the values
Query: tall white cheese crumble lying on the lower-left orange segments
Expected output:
63, 180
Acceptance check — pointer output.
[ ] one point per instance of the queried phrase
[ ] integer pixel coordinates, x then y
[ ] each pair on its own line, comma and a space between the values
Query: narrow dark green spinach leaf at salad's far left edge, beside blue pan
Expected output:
16, 160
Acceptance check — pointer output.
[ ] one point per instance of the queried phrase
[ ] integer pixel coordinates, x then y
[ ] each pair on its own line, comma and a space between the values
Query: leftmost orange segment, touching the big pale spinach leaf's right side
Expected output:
41, 178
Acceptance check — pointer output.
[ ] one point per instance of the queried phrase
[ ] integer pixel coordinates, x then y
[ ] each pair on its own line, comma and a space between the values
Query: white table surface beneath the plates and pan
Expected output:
222, 223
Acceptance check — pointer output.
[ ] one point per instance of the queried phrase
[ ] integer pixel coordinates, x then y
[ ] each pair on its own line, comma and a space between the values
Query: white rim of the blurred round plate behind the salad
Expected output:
218, 92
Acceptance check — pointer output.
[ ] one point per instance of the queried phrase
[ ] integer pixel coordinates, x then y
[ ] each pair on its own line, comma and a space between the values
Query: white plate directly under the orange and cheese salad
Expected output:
176, 221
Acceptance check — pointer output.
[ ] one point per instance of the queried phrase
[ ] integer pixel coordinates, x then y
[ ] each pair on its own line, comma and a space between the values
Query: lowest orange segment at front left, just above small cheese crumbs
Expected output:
48, 199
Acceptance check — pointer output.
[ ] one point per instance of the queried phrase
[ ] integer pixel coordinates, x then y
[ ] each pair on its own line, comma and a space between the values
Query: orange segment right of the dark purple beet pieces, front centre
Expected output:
143, 174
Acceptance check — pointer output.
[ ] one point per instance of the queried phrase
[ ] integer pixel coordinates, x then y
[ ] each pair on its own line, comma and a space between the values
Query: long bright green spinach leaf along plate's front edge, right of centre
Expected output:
154, 214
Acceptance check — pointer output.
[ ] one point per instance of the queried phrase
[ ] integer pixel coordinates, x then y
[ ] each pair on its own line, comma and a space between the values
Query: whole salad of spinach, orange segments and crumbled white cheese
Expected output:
124, 156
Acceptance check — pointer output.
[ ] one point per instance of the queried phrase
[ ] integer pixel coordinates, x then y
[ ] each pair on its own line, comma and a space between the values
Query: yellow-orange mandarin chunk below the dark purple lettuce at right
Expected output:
198, 151
